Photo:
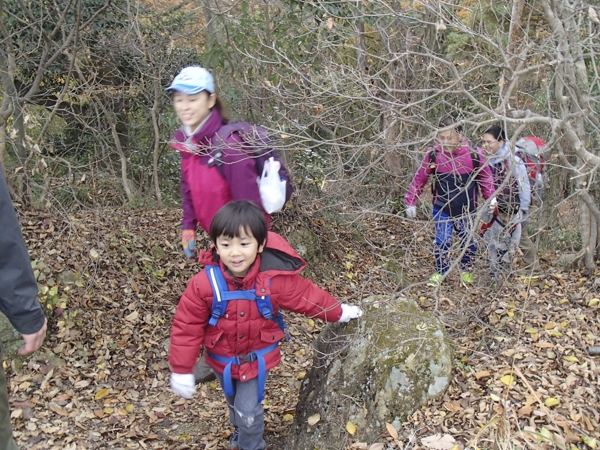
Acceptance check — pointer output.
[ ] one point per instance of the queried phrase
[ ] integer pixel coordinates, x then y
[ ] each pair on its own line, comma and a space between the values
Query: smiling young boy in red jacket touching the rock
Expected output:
241, 346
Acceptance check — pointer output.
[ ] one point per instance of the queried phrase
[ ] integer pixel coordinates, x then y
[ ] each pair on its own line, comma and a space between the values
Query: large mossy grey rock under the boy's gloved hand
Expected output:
376, 370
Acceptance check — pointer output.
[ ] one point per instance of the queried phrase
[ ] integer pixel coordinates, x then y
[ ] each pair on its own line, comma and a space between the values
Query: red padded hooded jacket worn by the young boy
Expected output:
242, 329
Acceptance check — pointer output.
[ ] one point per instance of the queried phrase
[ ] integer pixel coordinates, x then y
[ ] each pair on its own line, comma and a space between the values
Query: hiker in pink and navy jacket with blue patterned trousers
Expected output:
459, 171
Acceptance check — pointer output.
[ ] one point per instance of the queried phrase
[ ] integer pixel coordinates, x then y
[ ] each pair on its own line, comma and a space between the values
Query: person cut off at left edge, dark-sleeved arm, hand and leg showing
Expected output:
18, 299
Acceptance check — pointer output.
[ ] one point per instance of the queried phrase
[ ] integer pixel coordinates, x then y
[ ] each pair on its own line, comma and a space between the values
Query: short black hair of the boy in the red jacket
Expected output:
241, 214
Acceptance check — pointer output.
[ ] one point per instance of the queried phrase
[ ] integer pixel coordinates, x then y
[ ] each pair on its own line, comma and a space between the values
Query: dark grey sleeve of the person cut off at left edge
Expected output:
18, 288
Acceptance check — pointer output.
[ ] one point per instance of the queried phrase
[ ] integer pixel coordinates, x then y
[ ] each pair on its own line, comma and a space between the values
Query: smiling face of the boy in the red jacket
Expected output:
239, 252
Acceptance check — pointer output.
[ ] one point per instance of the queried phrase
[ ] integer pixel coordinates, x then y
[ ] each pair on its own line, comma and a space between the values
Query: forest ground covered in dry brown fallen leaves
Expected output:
523, 378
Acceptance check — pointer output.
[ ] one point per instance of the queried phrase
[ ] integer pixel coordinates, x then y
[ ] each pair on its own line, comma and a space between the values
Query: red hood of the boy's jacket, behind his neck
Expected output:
278, 258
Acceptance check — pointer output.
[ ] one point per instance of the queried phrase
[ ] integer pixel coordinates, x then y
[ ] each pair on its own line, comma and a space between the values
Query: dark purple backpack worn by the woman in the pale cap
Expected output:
257, 145
